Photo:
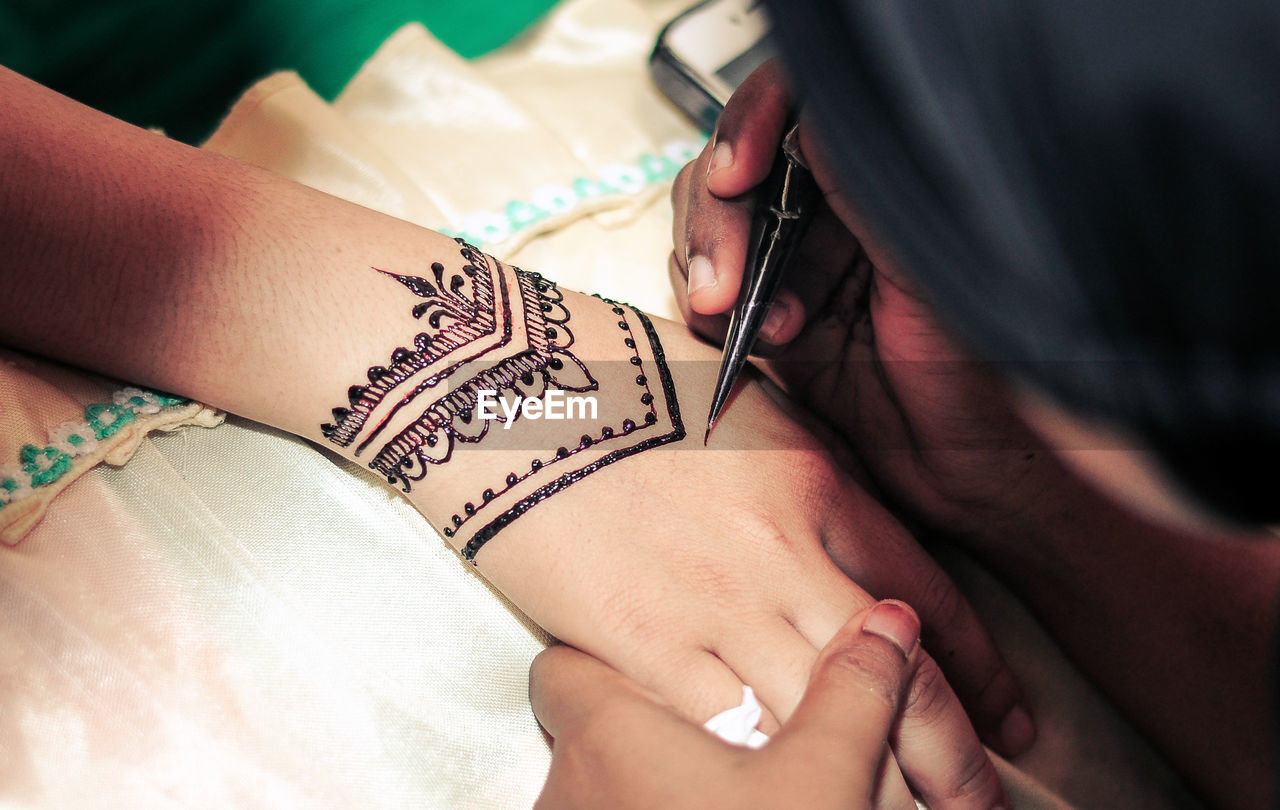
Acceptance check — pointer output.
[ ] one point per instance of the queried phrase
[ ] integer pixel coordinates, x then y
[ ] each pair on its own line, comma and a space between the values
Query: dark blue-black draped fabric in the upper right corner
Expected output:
1089, 193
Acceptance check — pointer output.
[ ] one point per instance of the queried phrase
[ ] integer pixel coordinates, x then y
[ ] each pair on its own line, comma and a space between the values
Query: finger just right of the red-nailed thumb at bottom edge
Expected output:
939, 752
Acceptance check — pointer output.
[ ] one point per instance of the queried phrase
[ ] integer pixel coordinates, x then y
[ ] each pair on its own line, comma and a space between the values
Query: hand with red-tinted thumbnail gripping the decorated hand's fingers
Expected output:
619, 745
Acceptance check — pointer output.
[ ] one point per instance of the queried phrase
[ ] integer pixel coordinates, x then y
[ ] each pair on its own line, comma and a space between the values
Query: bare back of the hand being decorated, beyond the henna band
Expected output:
697, 570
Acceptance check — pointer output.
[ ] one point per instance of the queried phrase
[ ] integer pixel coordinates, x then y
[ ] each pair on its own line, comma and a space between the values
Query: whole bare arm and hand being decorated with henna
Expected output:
140, 258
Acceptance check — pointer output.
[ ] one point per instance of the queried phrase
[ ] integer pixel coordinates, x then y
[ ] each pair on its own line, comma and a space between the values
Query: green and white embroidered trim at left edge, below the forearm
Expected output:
44, 465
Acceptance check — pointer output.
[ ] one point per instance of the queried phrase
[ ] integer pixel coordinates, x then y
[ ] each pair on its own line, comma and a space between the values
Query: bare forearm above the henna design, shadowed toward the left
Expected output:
167, 266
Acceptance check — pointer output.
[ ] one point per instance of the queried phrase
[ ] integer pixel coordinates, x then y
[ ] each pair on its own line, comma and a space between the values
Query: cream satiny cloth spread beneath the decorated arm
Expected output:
237, 620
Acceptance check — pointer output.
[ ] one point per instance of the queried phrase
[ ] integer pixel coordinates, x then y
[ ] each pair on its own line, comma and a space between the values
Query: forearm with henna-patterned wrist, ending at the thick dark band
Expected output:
395, 346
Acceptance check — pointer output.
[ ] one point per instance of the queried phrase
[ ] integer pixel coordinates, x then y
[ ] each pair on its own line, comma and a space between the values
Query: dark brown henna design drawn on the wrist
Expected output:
499, 330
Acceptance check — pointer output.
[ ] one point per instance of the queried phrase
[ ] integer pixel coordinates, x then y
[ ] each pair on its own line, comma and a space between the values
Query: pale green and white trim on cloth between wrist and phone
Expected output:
651, 170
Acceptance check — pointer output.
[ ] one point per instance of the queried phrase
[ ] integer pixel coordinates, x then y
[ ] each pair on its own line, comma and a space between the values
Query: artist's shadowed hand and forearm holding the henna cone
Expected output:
1130, 580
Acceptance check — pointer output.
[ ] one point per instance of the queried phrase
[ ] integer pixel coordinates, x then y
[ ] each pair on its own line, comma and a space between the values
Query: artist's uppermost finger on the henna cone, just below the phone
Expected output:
749, 134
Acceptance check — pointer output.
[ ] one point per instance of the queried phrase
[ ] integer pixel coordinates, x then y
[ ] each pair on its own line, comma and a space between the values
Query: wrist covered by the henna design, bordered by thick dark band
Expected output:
502, 393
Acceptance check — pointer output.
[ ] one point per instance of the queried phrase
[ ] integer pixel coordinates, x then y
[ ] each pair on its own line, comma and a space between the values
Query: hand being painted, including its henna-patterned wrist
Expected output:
692, 569
